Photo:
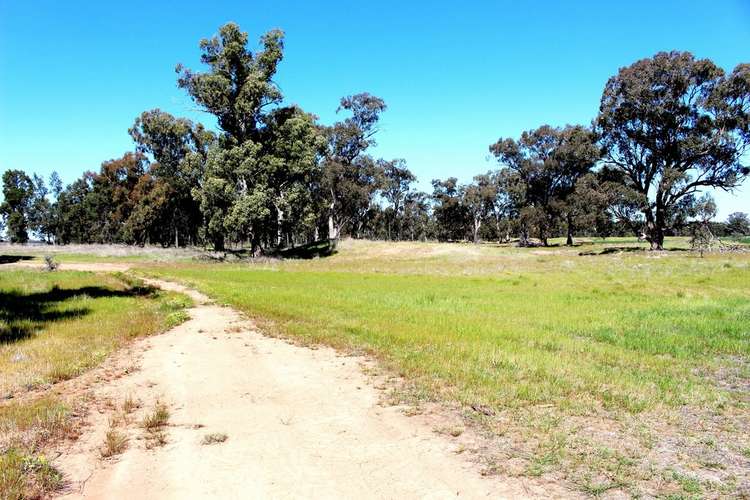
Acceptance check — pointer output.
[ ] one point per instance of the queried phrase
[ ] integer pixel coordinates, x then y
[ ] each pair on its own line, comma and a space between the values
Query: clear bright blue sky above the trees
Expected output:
455, 75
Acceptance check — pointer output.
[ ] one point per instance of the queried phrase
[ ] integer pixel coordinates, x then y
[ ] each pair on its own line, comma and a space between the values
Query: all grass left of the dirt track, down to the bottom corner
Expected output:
54, 326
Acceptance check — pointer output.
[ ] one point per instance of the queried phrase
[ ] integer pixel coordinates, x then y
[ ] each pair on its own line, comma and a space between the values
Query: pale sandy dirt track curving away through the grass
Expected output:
301, 423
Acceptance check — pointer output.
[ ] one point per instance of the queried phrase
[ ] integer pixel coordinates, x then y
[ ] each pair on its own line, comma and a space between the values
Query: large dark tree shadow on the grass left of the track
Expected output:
22, 314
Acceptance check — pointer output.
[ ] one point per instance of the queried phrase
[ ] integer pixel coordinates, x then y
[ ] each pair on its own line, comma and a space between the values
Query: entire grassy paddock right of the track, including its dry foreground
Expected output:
595, 368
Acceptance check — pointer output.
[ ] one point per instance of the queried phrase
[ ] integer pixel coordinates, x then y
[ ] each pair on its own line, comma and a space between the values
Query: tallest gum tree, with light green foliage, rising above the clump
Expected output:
244, 192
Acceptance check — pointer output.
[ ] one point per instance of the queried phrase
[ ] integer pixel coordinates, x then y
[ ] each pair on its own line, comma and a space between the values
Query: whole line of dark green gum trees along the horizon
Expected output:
273, 177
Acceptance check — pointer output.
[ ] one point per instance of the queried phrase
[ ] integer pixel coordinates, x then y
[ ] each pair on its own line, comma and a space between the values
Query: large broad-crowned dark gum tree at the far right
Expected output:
674, 125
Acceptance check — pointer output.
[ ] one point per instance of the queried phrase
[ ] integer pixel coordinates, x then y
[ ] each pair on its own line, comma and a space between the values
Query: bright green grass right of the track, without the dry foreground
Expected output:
636, 328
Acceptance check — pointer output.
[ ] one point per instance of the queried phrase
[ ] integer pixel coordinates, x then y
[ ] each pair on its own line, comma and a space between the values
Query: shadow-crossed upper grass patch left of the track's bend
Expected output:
54, 326
